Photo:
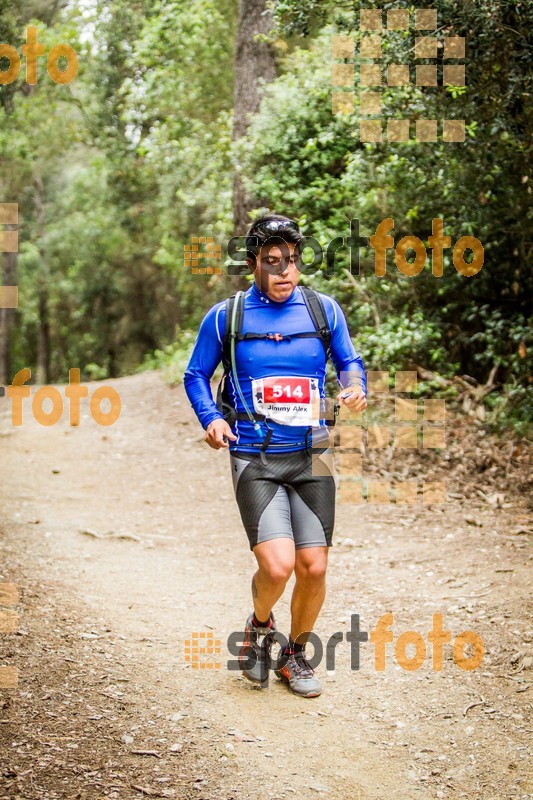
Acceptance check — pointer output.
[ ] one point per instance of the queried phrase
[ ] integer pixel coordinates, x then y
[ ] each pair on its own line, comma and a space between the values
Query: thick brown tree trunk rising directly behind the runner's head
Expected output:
254, 63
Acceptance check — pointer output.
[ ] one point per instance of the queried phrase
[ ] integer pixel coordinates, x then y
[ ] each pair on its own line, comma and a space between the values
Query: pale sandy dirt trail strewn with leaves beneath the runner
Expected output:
103, 623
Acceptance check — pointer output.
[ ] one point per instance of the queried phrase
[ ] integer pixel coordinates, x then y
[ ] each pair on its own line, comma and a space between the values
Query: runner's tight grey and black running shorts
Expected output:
291, 496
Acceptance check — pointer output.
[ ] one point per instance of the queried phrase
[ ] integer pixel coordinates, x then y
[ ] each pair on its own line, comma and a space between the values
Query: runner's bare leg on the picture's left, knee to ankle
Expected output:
276, 560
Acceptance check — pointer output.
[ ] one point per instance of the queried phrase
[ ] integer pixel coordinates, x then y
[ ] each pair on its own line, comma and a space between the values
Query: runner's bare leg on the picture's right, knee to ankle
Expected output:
309, 590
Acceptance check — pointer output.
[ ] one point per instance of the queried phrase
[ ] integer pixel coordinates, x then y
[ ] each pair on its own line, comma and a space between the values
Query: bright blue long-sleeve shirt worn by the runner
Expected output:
280, 378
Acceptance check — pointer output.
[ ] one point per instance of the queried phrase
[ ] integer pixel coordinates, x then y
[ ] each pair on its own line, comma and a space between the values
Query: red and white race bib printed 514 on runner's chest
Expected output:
287, 400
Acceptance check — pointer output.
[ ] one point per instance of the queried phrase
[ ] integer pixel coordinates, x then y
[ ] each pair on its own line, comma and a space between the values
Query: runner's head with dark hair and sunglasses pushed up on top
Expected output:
273, 252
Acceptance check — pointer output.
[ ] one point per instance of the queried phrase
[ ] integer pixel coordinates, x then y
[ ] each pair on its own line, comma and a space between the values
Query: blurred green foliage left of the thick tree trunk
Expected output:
134, 160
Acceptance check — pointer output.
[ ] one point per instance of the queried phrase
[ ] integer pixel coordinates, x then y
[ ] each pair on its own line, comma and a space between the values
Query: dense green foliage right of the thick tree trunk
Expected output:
302, 160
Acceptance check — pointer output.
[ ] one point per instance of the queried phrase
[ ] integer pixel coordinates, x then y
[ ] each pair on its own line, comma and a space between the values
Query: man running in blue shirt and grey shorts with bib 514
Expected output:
274, 346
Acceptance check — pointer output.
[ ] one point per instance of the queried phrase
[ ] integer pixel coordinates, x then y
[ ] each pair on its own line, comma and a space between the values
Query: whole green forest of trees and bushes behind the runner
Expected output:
188, 119
